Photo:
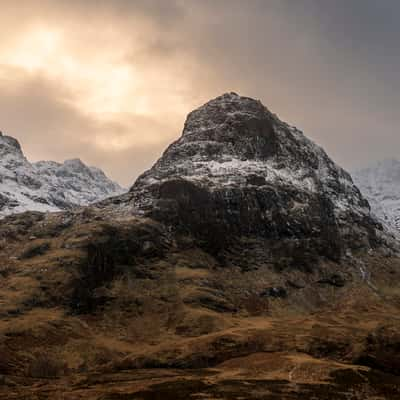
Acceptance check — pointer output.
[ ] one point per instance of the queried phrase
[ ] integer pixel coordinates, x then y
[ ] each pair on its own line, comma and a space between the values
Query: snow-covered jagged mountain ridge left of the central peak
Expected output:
47, 185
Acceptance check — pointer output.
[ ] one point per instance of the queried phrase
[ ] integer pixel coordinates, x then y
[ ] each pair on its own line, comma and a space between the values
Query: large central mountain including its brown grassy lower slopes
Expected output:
244, 264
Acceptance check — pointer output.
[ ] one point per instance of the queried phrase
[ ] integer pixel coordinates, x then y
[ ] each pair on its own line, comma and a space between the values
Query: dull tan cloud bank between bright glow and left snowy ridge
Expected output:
38, 112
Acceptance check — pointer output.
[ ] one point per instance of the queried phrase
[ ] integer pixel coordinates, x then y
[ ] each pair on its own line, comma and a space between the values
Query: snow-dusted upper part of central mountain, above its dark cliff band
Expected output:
231, 139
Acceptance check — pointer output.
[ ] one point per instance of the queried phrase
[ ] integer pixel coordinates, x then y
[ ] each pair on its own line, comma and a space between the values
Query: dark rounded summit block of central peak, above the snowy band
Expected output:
231, 125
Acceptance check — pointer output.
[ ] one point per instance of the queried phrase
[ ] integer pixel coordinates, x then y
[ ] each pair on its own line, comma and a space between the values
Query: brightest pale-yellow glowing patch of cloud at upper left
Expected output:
101, 83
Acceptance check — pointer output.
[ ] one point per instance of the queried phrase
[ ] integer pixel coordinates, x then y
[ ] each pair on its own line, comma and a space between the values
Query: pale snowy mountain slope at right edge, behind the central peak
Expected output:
380, 184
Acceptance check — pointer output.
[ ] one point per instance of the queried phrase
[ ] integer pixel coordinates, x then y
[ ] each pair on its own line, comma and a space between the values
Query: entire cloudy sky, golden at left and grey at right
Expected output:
111, 81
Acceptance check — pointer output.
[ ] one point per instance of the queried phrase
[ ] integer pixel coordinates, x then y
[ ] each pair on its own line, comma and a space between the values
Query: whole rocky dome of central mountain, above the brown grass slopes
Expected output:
238, 170
